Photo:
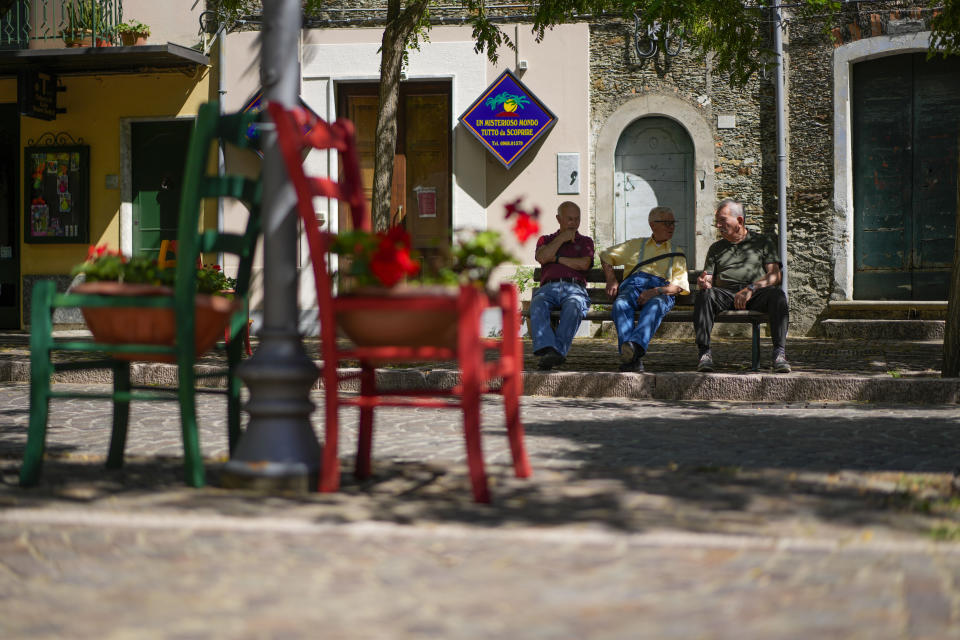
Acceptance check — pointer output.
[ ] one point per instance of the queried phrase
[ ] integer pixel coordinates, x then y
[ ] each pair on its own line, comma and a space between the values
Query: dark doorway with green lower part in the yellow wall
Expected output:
158, 154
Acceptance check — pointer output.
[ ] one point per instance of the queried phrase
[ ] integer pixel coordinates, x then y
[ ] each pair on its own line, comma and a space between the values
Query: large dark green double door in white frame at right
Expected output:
906, 121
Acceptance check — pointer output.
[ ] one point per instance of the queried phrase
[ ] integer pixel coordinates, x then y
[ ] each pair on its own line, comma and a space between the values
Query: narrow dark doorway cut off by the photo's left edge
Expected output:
9, 217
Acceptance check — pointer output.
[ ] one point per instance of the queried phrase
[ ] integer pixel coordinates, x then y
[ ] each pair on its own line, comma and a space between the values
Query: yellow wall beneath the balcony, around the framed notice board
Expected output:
95, 106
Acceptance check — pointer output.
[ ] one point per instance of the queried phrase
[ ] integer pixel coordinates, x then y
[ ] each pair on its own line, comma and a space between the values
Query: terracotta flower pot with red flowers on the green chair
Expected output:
119, 325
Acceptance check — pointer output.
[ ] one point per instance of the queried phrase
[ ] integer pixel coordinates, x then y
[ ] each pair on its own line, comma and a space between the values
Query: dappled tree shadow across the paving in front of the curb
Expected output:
762, 473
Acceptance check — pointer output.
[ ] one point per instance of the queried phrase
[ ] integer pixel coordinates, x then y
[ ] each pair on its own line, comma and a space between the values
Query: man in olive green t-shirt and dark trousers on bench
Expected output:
742, 271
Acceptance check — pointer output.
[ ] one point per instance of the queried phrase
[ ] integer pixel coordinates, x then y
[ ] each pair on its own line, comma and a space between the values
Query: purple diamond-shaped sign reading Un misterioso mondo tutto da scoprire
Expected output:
508, 118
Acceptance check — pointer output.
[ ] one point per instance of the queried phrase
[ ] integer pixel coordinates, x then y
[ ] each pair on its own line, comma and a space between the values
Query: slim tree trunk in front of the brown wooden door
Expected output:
396, 36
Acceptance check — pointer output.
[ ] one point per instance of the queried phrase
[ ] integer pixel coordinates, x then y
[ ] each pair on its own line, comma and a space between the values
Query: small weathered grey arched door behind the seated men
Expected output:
653, 166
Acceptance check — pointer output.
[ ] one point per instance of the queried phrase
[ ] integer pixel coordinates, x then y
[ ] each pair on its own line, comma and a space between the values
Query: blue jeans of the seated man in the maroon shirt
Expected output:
573, 303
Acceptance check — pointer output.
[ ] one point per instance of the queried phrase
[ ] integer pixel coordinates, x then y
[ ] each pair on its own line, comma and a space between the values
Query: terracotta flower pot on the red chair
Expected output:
402, 328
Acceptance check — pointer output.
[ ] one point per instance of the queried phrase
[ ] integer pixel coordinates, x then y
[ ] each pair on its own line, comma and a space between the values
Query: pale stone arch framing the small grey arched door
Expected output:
696, 125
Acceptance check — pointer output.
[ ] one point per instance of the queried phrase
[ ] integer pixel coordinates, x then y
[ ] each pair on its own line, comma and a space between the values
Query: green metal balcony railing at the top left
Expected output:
41, 23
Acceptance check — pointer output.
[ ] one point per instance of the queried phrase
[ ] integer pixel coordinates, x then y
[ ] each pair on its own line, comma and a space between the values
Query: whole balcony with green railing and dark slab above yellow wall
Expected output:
79, 37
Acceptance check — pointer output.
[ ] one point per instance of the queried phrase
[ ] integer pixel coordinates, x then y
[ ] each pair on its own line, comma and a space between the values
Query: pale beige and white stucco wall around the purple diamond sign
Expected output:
557, 72
